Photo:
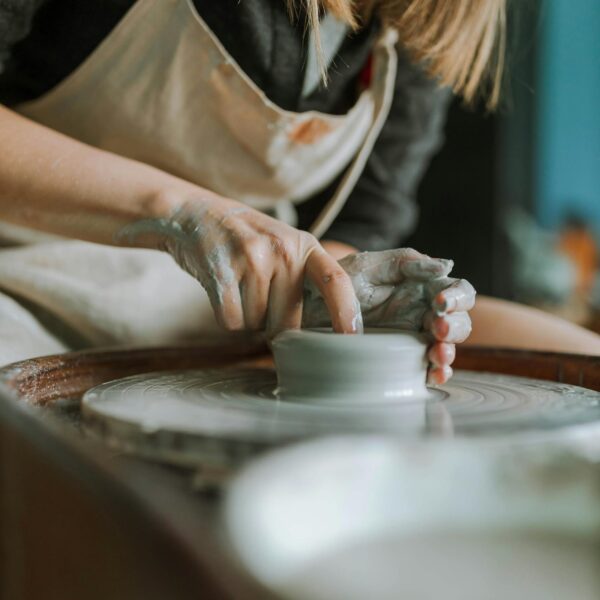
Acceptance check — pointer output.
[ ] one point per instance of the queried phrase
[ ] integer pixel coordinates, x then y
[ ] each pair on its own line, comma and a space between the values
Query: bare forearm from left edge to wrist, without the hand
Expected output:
56, 184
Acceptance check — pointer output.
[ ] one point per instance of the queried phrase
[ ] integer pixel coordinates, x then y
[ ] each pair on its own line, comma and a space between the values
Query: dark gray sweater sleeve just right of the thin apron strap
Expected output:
381, 210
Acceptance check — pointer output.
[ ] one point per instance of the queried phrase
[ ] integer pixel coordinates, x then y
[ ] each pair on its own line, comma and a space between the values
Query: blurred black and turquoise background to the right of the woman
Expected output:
514, 197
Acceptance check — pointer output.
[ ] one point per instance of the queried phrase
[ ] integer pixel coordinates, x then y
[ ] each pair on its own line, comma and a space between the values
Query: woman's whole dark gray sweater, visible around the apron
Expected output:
42, 41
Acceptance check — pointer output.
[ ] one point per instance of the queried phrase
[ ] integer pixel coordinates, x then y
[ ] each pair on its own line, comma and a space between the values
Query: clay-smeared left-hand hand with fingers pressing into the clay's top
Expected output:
252, 266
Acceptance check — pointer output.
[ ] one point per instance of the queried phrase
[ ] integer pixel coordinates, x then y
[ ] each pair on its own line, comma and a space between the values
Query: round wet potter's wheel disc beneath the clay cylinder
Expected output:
228, 414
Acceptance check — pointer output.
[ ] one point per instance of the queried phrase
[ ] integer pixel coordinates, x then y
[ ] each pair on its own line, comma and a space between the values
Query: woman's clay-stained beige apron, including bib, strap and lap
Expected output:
162, 89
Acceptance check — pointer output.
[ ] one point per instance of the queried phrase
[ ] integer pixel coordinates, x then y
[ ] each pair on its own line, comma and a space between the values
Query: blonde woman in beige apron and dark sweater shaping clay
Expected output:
178, 125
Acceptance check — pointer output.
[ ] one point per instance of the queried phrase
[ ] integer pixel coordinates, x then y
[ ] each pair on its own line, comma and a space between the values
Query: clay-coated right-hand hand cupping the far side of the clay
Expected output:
407, 290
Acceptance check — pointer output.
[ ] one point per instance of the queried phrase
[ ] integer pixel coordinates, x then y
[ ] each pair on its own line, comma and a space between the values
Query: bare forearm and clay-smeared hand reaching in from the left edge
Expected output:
252, 266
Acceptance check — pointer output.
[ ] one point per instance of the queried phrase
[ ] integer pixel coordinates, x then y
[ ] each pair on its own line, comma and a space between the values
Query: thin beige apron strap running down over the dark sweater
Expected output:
383, 104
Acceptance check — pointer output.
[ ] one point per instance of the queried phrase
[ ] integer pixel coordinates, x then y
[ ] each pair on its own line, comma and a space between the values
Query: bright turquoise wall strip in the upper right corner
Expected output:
568, 97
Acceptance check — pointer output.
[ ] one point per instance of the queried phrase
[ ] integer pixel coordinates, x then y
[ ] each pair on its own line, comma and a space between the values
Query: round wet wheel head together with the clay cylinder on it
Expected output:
329, 384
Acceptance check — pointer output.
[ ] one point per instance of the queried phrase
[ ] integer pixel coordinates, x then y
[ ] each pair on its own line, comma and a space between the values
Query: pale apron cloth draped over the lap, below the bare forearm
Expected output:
68, 294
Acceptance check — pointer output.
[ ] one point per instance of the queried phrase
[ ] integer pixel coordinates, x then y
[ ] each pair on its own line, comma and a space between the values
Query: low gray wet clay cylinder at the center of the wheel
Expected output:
380, 365
